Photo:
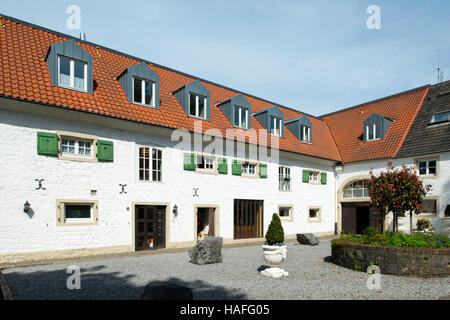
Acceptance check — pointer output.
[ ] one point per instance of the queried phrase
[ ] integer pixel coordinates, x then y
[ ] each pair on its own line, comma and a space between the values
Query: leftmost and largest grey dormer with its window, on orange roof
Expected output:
70, 66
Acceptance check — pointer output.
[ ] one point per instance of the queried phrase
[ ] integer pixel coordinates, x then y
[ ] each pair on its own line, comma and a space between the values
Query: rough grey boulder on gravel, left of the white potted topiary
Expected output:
207, 251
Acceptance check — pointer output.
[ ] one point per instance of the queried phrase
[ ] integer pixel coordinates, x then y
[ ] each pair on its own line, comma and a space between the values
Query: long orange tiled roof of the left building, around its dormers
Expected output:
24, 76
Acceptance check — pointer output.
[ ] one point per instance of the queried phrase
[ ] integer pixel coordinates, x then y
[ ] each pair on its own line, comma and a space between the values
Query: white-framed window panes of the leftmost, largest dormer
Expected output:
72, 73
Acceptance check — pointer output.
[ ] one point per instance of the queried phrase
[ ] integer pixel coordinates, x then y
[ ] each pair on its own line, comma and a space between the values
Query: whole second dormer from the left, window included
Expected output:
141, 85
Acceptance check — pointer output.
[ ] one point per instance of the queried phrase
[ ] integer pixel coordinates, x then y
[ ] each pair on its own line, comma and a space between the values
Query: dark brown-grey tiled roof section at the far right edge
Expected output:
424, 137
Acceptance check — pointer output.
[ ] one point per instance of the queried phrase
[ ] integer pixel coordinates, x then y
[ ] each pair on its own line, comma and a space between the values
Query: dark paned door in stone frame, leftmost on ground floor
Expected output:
150, 227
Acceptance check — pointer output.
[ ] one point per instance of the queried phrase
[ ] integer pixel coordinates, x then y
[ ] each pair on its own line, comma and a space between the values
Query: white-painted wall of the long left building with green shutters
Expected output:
21, 165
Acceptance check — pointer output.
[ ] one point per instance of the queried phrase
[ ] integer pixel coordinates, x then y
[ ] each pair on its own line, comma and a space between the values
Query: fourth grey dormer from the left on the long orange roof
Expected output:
238, 110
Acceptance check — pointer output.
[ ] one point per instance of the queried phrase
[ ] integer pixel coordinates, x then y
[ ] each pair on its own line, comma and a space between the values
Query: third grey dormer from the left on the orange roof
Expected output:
195, 100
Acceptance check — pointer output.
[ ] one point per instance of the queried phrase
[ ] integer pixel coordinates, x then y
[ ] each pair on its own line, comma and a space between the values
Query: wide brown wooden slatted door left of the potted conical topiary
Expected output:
248, 219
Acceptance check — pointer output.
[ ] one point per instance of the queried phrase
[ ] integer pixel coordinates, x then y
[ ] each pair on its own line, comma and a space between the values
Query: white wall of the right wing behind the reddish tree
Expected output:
440, 185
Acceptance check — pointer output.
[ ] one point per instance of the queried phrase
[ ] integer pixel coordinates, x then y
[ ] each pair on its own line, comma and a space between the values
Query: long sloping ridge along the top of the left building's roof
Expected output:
147, 61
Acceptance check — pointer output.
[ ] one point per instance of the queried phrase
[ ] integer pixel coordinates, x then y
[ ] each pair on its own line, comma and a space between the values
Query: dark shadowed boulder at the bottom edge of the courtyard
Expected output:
160, 290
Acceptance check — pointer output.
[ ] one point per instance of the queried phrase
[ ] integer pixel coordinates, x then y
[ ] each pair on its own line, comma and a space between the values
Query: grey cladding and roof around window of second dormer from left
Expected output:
142, 71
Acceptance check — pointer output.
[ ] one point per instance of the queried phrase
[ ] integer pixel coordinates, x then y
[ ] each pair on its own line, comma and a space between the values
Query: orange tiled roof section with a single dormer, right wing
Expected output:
347, 126
